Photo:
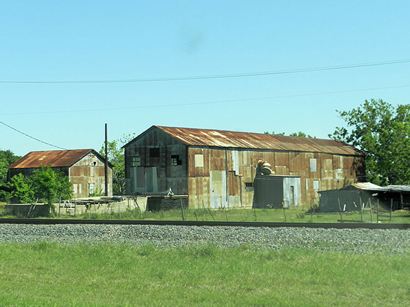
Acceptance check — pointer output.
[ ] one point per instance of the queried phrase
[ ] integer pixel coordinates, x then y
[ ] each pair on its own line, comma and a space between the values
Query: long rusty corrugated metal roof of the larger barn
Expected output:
250, 140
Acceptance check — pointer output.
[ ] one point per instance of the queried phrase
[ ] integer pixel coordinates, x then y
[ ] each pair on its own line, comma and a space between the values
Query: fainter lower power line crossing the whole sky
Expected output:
208, 102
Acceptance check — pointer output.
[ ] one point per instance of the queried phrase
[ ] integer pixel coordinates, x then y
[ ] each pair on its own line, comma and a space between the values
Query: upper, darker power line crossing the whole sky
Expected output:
214, 76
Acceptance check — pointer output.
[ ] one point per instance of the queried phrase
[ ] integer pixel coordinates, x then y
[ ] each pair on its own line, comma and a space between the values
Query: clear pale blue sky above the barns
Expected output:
100, 40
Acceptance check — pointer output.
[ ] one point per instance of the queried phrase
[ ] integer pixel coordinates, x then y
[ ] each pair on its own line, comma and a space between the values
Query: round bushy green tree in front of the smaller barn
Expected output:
50, 186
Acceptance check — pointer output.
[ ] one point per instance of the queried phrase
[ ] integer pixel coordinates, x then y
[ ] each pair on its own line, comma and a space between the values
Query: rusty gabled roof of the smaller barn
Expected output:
53, 158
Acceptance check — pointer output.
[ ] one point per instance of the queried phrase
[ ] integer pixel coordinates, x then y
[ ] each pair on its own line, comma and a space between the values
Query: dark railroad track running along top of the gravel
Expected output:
340, 225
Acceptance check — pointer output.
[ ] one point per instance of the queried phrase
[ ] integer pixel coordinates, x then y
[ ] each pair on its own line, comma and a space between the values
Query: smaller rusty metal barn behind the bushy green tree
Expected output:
84, 168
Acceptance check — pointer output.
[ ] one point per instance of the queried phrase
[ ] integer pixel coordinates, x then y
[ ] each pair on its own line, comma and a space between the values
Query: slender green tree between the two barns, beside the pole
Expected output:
116, 158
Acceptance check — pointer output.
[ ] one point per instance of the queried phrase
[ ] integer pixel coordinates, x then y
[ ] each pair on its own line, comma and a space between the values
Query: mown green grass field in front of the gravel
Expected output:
51, 274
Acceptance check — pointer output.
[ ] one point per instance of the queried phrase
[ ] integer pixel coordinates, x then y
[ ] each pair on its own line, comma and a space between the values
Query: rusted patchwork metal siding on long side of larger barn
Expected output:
331, 171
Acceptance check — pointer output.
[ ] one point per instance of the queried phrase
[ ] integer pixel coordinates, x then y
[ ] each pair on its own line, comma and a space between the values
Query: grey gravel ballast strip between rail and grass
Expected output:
350, 240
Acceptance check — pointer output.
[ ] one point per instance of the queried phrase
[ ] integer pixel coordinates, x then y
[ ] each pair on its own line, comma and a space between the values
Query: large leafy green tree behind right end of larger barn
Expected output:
382, 132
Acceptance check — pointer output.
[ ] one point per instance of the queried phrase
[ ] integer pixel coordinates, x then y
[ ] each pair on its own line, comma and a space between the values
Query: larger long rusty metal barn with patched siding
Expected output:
217, 168
